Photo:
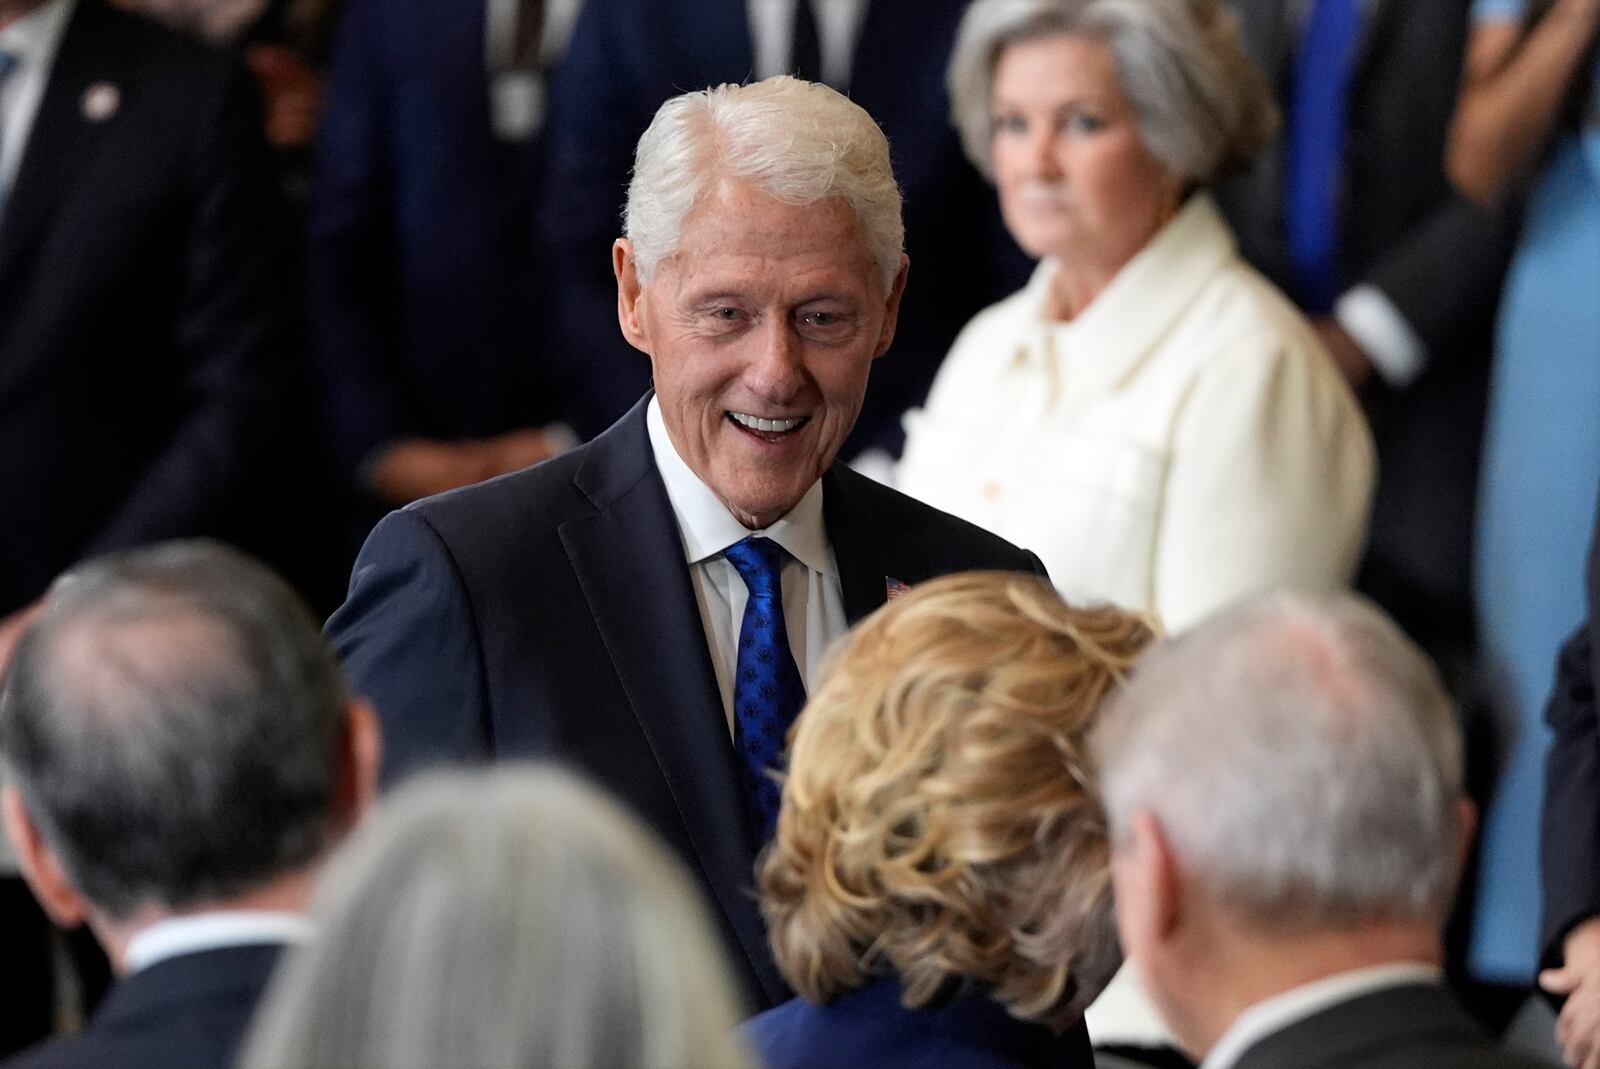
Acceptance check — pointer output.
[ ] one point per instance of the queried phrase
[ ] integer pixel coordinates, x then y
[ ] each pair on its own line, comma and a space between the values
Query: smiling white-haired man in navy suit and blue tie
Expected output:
654, 606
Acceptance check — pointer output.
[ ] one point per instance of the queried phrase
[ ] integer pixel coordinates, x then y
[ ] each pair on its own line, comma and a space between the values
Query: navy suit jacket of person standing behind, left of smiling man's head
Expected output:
420, 247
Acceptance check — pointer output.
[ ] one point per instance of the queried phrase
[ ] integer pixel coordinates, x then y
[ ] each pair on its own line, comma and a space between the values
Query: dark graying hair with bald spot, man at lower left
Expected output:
174, 723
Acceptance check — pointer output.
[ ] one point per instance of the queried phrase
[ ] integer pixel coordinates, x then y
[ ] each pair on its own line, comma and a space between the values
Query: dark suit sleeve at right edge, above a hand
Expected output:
1570, 827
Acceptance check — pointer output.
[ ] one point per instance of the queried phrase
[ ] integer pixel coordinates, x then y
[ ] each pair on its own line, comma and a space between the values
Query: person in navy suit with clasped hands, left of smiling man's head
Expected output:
425, 286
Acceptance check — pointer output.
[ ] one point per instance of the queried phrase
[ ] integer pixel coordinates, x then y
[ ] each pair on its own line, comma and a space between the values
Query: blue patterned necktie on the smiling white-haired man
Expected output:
767, 687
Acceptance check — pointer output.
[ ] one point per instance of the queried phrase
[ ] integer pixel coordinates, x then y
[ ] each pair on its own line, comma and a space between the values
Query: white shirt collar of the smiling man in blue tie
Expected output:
705, 522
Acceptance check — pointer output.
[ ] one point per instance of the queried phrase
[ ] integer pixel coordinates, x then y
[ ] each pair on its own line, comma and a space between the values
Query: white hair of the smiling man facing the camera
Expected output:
796, 142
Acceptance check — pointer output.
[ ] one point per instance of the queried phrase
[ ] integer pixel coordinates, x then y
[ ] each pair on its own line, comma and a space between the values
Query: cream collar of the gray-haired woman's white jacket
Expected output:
1145, 298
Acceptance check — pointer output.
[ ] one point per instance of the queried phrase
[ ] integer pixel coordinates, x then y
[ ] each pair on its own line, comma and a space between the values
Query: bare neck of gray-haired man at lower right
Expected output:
1252, 967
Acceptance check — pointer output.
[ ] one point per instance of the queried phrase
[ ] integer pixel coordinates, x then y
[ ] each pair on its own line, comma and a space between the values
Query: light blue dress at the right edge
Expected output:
1542, 466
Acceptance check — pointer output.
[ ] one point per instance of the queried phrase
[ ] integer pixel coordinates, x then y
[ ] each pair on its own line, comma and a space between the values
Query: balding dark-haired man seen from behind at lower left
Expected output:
185, 755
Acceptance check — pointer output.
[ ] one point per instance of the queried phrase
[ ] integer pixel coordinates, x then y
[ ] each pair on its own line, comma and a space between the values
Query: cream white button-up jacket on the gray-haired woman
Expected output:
1182, 444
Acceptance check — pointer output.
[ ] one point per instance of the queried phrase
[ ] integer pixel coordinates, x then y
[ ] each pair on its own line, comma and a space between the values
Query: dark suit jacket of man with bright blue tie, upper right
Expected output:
1434, 255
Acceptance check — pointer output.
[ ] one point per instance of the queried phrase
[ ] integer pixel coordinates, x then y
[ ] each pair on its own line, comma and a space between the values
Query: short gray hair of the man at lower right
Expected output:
1303, 759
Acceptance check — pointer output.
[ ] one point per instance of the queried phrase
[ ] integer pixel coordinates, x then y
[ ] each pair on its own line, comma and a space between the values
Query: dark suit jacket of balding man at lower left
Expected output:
186, 1012
